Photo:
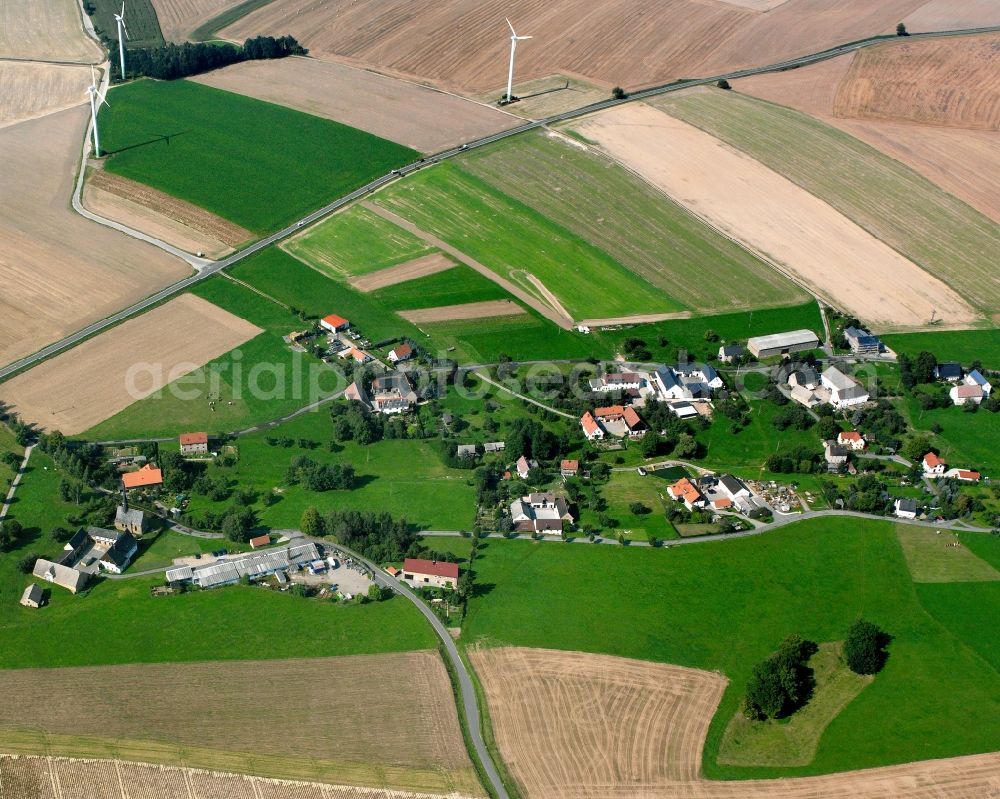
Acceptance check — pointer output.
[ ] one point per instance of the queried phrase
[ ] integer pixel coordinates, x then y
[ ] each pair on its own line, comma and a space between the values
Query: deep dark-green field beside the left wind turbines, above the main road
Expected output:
257, 164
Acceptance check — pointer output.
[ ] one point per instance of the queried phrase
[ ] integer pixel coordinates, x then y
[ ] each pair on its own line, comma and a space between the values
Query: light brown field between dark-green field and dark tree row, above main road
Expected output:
415, 116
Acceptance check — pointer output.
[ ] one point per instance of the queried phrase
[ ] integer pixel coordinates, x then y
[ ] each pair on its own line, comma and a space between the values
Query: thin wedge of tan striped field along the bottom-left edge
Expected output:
25, 777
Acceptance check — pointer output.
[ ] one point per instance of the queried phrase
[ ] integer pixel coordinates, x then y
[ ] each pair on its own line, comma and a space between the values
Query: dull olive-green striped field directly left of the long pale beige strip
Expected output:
609, 207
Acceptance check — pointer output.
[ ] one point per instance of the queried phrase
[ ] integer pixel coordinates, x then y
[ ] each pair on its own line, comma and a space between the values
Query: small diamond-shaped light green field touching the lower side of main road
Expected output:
355, 242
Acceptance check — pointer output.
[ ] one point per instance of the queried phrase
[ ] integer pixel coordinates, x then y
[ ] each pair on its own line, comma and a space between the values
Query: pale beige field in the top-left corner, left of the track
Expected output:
45, 31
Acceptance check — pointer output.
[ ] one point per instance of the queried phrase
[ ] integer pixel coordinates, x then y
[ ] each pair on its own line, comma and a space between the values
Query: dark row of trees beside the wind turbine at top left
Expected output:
172, 61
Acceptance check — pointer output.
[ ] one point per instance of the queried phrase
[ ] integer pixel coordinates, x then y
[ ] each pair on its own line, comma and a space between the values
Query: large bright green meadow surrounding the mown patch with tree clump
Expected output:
726, 605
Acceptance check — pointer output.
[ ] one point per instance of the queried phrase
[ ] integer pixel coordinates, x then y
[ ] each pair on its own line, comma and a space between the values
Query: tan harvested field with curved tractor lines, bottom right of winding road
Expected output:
572, 725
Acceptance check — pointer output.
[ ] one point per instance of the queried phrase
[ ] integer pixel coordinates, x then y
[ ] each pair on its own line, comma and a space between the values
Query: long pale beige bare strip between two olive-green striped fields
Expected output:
772, 216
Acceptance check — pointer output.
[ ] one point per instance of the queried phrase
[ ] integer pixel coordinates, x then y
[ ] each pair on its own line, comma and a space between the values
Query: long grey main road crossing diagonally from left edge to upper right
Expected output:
209, 270
